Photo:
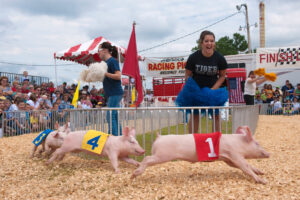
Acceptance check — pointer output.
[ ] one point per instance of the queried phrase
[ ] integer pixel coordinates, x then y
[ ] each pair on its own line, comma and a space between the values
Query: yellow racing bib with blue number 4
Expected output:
94, 141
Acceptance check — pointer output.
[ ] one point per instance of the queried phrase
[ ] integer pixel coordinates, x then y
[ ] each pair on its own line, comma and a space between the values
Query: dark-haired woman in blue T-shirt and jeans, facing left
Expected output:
112, 84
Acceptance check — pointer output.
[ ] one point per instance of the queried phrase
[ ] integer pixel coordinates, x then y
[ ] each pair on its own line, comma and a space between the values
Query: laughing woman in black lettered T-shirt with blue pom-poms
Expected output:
205, 68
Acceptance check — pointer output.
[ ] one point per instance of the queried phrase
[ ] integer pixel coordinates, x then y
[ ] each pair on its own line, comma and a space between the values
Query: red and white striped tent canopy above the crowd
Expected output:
86, 53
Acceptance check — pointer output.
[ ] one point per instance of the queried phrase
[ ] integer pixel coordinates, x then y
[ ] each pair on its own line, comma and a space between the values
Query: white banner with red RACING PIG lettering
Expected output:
166, 66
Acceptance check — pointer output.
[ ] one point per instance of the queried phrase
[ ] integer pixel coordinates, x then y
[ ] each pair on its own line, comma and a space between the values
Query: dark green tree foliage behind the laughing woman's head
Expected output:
229, 46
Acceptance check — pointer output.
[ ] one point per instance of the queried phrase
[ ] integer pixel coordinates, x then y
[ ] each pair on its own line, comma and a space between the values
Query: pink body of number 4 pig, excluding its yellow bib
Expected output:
116, 147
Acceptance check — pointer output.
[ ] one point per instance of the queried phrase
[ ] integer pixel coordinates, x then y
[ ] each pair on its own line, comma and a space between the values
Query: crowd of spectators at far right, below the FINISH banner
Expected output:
284, 100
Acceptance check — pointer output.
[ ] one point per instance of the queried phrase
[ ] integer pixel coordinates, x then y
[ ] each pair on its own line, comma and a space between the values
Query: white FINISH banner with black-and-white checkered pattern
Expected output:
283, 57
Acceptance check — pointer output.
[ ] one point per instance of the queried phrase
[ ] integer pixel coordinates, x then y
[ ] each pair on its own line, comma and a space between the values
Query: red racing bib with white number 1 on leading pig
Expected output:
207, 146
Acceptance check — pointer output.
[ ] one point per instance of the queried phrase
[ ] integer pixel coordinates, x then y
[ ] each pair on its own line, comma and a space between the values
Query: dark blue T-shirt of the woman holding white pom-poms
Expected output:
111, 86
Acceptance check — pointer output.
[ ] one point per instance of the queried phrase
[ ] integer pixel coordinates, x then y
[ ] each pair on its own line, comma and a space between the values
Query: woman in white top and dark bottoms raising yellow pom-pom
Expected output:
250, 86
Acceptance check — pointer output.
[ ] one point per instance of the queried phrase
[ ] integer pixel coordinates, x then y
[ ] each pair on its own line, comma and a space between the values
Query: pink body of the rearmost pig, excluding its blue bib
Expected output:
53, 140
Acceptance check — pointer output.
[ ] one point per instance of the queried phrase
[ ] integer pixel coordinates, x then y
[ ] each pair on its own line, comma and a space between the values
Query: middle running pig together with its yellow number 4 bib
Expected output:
114, 147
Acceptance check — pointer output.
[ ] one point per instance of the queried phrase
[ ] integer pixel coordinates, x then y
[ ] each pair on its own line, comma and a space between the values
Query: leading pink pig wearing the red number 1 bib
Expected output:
233, 149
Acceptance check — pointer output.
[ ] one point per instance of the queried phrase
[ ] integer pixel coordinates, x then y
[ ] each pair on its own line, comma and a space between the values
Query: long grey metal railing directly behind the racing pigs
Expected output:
172, 120
